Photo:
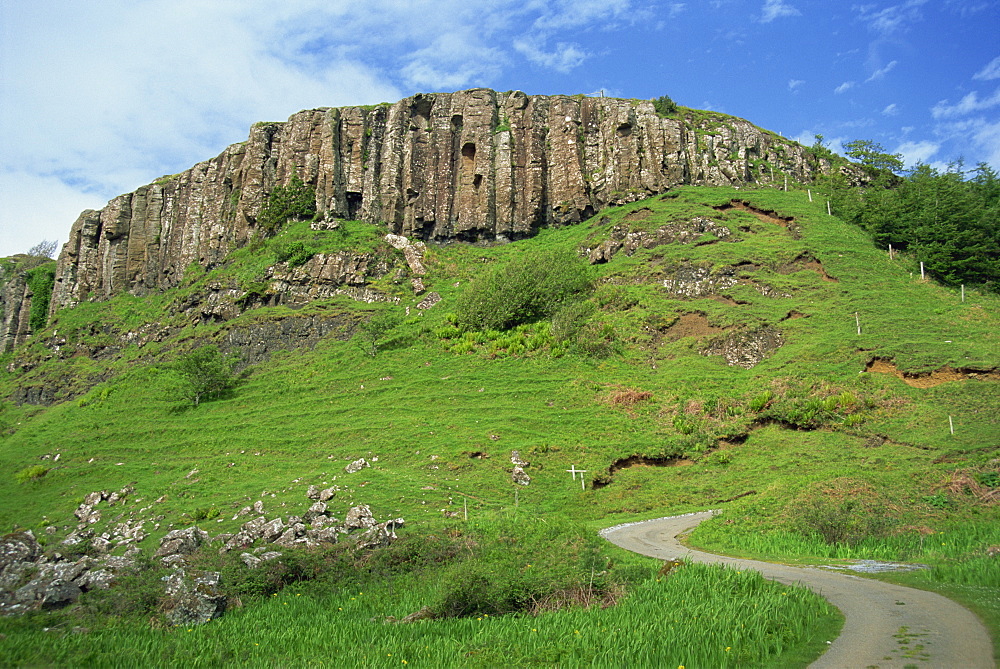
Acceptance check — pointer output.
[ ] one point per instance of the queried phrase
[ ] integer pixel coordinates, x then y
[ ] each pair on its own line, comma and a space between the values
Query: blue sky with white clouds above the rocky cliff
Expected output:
100, 97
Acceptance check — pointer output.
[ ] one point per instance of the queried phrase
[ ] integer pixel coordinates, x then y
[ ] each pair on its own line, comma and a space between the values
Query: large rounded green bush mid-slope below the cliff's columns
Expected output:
522, 290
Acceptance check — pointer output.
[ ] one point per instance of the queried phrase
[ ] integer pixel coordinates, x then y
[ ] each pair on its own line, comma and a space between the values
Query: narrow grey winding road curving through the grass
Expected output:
884, 623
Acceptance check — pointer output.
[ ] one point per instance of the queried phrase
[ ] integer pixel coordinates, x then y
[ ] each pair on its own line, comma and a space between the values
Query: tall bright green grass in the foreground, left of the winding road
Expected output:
697, 617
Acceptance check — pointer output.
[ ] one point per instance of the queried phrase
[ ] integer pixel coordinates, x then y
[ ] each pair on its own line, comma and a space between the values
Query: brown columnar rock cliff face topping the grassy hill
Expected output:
472, 165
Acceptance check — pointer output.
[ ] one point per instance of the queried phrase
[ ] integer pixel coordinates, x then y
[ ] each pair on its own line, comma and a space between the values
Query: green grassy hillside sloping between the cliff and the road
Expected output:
626, 388
